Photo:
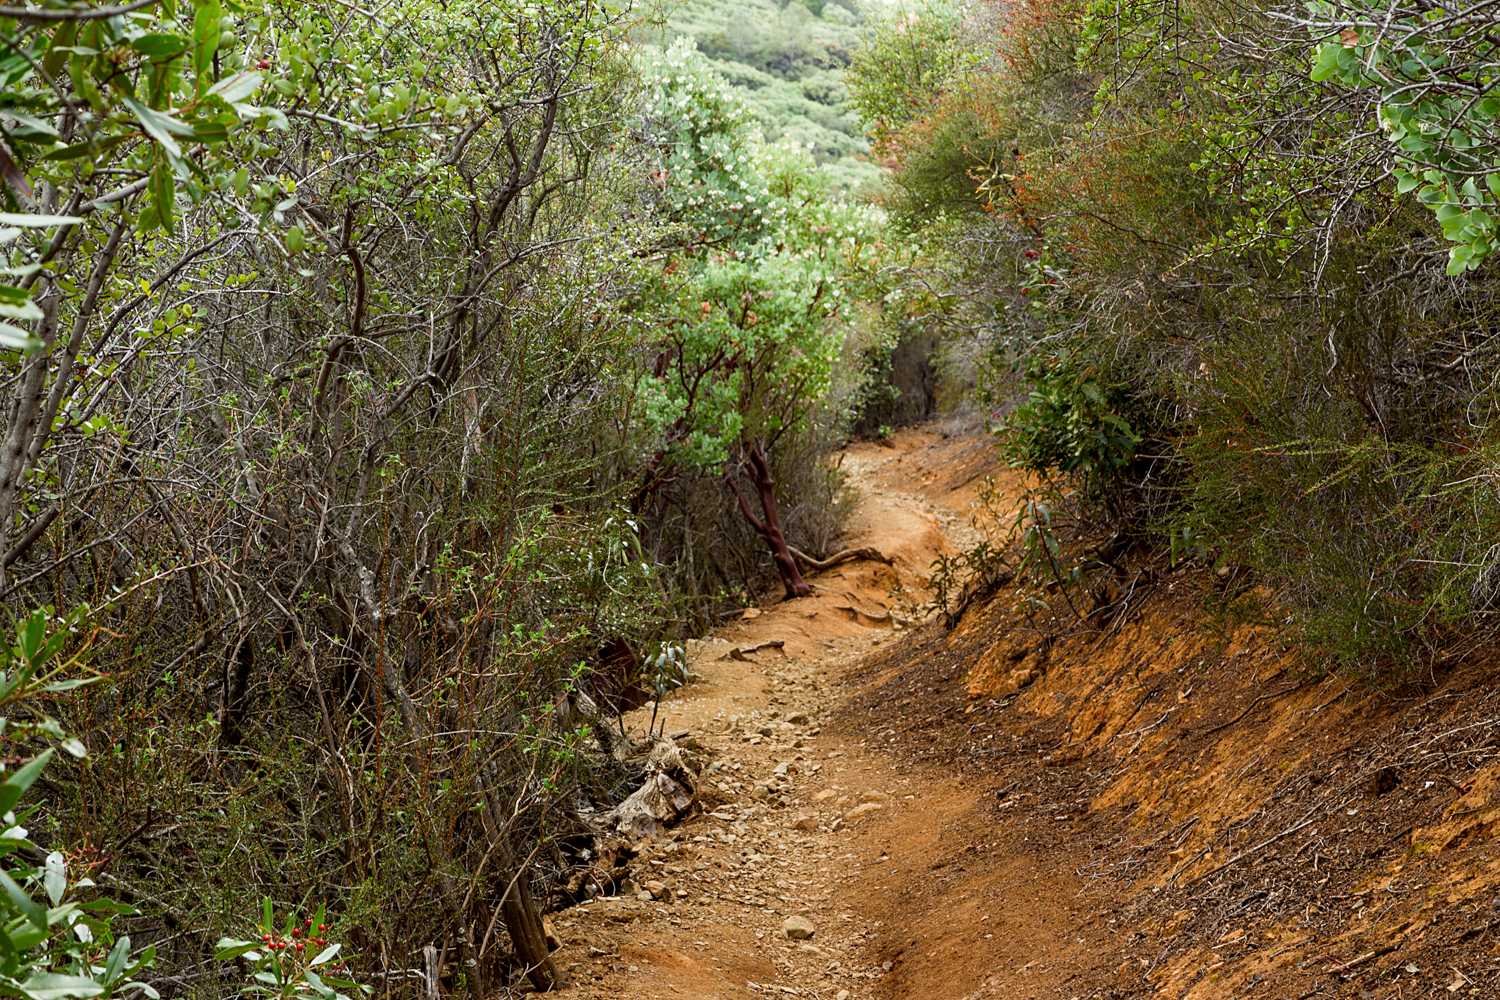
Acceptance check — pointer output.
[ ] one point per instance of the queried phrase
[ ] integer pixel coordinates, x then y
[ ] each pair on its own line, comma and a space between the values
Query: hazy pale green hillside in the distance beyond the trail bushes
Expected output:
787, 59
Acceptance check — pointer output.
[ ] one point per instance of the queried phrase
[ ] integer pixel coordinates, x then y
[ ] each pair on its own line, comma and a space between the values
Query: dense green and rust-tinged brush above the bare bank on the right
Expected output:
1217, 265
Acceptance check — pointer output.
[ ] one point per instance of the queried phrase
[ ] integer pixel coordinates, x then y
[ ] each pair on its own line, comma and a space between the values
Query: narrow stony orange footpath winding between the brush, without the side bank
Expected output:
806, 815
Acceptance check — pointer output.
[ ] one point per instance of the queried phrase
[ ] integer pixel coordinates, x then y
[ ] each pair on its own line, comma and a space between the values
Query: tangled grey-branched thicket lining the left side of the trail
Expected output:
334, 353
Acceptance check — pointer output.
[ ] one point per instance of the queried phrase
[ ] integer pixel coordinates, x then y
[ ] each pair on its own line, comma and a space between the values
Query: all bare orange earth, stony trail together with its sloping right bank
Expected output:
1028, 809
